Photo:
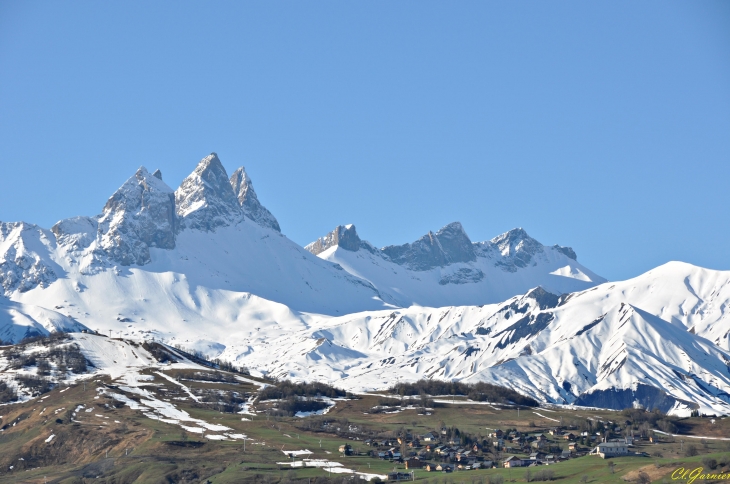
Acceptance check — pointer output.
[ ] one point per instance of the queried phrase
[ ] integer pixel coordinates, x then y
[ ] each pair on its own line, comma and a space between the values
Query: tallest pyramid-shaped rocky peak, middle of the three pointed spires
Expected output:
205, 199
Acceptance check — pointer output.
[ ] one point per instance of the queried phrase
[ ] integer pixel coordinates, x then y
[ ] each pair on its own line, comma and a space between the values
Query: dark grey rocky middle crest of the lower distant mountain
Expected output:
448, 245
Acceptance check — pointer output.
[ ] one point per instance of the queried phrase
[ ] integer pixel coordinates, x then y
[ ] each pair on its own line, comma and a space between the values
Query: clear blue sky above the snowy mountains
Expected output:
604, 126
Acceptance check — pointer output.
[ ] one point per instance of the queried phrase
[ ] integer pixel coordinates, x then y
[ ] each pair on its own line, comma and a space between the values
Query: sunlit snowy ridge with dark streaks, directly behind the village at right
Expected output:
609, 346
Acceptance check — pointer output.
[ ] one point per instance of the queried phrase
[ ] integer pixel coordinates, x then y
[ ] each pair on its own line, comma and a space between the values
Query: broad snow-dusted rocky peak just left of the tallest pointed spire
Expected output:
140, 215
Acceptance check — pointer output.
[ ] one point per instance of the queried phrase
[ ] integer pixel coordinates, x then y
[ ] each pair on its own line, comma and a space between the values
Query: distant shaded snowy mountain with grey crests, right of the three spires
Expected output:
446, 268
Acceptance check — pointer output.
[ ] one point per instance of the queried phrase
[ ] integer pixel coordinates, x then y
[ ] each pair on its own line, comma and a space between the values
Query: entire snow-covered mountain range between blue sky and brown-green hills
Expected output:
206, 268
